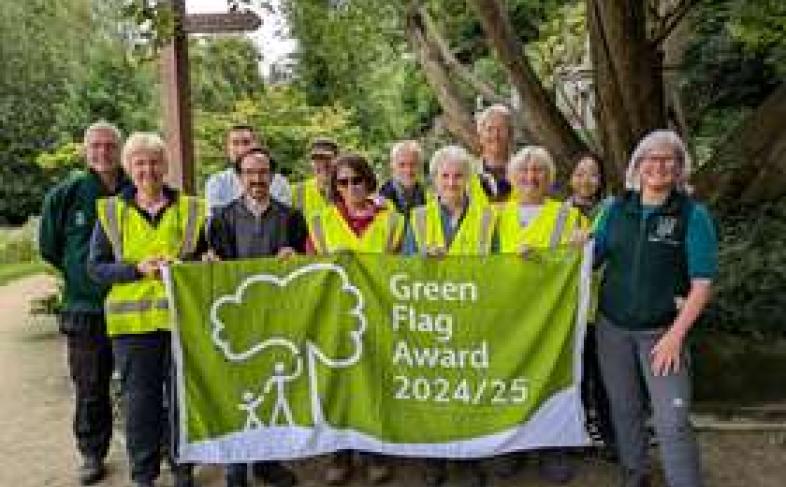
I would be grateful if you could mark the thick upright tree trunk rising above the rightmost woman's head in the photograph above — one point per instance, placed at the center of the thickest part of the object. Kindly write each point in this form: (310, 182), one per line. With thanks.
(628, 79)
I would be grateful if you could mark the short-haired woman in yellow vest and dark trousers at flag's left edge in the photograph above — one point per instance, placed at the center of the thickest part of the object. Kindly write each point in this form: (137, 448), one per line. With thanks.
(142, 229)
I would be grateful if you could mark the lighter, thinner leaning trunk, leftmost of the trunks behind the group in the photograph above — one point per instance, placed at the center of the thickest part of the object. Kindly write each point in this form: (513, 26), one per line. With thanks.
(458, 115)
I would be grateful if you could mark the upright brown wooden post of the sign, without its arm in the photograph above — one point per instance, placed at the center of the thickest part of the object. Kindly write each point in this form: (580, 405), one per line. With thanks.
(176, 102)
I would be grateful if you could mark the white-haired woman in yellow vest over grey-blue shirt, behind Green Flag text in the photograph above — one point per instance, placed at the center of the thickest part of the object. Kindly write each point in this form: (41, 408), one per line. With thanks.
(452, 223)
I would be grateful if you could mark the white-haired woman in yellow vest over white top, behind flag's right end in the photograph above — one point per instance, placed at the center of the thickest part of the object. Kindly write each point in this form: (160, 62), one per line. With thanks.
(532, 220)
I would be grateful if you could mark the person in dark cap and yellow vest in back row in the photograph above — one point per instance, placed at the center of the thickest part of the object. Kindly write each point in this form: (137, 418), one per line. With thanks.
(312, 195)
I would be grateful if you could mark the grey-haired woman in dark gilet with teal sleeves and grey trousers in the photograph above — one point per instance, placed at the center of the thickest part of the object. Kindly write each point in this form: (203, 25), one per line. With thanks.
(660, 253)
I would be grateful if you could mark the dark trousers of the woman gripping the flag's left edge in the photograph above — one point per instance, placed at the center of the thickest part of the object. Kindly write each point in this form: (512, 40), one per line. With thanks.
(145, 363)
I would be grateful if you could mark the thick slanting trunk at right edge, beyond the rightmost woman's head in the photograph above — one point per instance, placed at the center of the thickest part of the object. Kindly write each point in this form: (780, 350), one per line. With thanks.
(749, 166)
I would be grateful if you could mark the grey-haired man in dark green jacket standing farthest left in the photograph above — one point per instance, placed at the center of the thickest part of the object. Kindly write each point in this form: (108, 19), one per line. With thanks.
(67, 220)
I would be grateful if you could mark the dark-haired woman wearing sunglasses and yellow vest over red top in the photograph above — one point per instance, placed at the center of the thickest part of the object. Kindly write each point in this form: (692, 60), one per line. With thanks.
(357, 223)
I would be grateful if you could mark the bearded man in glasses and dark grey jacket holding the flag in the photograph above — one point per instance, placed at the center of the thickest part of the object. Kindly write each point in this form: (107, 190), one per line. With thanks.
(256, 225)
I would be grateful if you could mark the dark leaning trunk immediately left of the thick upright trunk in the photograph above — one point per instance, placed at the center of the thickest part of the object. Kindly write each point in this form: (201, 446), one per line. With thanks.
(542, 119)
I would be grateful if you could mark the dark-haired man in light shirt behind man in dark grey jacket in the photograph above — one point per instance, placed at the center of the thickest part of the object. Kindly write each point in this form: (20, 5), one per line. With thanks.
(224, 187)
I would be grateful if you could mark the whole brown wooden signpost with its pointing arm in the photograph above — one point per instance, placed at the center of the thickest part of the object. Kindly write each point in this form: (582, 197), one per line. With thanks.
(176, 91)
